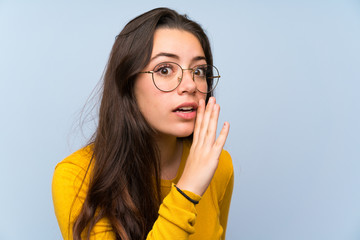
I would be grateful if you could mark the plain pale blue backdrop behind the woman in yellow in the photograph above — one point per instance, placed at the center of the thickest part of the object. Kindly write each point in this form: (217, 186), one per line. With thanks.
(289, 88)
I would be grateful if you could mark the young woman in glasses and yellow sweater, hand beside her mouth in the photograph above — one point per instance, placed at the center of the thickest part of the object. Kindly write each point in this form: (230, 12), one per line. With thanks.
(154, 168)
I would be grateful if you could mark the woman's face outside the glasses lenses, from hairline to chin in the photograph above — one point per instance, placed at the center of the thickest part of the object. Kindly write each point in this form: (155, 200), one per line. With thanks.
(171, 113)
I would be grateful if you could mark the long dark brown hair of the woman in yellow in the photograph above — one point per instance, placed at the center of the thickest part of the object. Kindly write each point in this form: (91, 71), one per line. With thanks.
(125, 179)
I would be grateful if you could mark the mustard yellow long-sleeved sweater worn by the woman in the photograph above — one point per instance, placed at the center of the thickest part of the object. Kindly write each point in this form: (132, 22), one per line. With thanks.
(178, 217)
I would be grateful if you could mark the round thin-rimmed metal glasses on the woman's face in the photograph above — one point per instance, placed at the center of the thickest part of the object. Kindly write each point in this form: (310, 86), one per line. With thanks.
(167, 76)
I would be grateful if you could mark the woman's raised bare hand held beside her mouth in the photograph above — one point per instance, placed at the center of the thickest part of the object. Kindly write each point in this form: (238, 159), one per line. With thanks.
(205, 150)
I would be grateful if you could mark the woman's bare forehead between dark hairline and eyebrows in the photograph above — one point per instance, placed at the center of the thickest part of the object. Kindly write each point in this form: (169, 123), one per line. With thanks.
(178, 42)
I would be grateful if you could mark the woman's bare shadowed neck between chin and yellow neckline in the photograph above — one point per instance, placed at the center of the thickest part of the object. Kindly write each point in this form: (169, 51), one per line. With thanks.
(170, 155)
